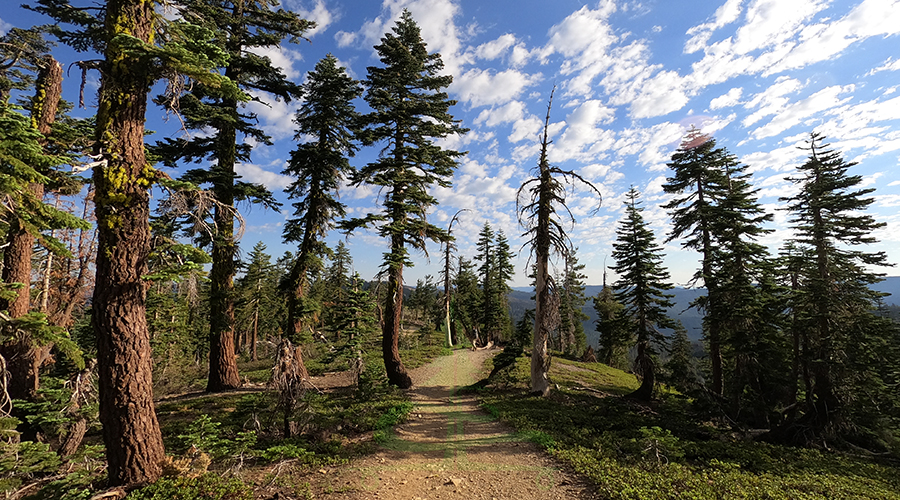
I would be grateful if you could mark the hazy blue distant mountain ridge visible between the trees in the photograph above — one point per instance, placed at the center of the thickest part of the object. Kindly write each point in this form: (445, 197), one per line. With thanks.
(520, 300)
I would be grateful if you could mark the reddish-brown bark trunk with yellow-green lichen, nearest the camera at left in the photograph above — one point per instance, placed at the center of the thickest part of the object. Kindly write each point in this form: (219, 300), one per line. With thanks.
(134, 446)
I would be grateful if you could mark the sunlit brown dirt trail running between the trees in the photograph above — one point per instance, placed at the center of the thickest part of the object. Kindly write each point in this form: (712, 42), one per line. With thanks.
(450, 449)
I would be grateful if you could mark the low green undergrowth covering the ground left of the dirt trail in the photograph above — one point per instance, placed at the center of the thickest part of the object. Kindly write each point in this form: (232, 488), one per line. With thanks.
(333, 426)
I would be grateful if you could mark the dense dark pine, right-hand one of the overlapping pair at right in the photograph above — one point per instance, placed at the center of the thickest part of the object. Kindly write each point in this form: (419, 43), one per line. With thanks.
(747, 309)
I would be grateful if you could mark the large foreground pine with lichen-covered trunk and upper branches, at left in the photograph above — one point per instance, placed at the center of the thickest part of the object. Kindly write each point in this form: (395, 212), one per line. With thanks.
(133, 57)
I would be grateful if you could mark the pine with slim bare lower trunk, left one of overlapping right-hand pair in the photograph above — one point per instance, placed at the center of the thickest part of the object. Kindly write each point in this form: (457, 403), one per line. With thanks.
(699, 182)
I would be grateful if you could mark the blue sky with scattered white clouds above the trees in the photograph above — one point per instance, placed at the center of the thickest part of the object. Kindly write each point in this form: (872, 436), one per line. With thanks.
(631, 78)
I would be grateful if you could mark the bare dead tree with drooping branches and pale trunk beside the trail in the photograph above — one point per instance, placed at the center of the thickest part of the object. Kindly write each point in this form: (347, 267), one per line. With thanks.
(537, 203)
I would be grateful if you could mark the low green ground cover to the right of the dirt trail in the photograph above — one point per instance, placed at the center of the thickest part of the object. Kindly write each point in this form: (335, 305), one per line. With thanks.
(658, 451)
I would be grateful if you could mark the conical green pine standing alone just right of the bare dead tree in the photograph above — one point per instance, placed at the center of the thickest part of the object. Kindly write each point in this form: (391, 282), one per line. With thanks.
(641, 288)
